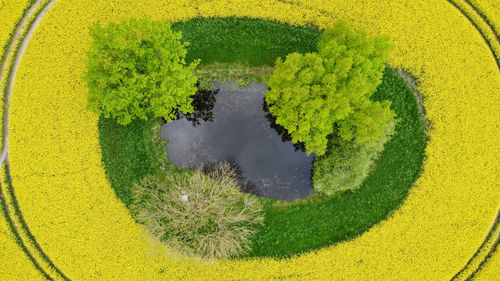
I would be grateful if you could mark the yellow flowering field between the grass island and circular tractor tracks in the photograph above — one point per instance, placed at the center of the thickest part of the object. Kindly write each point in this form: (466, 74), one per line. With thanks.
(64, 196)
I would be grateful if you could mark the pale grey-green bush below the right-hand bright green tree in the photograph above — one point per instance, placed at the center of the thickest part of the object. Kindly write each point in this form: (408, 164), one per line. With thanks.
(347, 164)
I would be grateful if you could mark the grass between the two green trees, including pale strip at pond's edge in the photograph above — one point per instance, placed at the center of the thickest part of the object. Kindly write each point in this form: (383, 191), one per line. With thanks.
(241, 49)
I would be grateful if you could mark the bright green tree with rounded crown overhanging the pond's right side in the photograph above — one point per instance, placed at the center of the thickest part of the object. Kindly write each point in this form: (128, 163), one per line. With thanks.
(315, 95)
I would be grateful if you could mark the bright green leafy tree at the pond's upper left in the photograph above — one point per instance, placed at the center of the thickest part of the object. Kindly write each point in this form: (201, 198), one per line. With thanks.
(136, 69)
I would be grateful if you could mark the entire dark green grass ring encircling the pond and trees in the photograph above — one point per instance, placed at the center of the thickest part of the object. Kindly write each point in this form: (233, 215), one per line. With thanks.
(290, 227)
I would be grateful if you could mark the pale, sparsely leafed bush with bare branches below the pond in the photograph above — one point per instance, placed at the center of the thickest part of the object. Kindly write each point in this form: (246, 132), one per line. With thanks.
(199, 214)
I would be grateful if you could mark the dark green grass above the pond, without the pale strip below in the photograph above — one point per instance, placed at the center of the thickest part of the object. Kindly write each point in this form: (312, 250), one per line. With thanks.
(250, 42)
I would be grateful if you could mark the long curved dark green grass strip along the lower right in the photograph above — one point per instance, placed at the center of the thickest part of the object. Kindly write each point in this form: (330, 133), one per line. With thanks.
(327, 220)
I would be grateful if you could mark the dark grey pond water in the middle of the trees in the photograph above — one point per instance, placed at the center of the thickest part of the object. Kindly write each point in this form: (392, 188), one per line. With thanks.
(232, 124)
